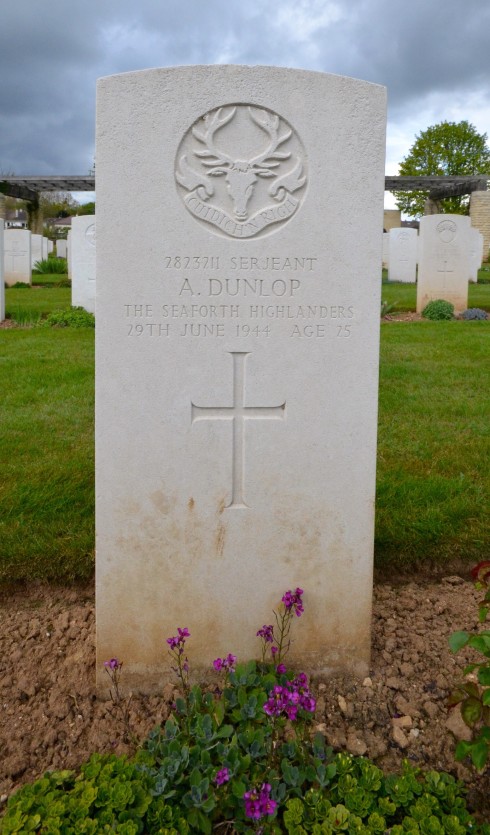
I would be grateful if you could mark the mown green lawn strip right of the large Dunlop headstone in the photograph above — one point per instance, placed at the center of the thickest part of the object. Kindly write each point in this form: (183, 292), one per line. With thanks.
(433, 483)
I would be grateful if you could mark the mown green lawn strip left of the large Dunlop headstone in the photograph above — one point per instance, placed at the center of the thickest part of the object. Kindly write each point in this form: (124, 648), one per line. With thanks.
(46, 454)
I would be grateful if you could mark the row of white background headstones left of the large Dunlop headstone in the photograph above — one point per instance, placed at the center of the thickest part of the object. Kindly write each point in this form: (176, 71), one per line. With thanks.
(22, 250)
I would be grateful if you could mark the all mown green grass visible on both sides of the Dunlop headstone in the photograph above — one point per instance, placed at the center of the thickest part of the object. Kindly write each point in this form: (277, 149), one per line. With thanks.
(433, 451)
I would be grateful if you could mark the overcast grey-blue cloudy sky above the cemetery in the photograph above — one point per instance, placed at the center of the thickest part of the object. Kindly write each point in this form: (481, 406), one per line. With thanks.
(433, 57)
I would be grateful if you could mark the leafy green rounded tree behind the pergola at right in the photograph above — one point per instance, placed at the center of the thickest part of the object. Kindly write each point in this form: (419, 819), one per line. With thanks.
(446, 149)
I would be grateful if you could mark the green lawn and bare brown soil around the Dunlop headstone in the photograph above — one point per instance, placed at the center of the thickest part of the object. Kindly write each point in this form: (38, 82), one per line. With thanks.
(431, 526)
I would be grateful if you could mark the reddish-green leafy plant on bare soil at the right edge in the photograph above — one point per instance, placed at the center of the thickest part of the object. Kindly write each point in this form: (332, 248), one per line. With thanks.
(473, 694)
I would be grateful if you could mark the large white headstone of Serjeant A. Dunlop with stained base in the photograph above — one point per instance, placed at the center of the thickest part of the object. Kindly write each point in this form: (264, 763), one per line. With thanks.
(238, 359)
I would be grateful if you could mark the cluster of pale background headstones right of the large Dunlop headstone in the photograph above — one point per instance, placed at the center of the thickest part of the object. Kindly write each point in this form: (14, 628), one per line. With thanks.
(448, 251)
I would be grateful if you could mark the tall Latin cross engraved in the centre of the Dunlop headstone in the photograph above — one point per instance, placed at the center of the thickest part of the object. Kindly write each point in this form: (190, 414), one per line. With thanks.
(238, 414)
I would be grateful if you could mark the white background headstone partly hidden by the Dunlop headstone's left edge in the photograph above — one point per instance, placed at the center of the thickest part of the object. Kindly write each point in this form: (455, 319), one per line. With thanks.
(82, 252)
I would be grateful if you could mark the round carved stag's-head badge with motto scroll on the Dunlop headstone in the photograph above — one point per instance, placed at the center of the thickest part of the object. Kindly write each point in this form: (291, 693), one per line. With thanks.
(241, 169)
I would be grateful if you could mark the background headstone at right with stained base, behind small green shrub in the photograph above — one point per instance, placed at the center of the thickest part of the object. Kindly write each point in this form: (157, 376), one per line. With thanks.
(444, 260)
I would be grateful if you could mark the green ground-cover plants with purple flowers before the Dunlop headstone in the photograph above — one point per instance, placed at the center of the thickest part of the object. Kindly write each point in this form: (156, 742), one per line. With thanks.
(240, 757)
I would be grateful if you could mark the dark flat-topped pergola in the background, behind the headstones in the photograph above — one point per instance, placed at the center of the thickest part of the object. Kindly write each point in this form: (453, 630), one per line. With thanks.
(29, 188)
